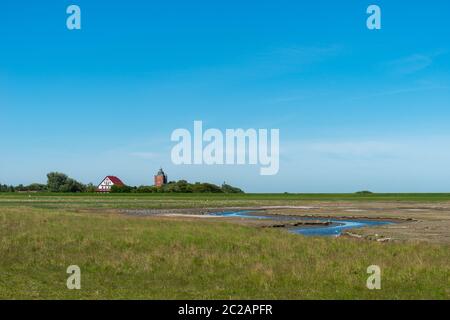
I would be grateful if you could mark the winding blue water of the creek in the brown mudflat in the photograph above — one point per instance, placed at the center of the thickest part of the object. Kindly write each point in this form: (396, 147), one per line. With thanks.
(334, 229)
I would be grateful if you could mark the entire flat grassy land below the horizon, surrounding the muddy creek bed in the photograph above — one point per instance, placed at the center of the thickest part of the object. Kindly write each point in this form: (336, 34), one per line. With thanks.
(156, 257)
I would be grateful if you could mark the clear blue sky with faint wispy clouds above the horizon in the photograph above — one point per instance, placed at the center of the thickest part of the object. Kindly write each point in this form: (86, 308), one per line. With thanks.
(357, 109)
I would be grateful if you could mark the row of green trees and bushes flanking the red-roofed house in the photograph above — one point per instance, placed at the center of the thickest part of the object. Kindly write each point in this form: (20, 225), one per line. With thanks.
(60, 182)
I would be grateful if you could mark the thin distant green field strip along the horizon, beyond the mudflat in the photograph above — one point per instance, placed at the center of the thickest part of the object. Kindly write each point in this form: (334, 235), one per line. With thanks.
(137, 200)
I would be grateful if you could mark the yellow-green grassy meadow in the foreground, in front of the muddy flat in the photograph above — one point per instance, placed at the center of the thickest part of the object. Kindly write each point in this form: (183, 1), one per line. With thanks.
(123, 257)
